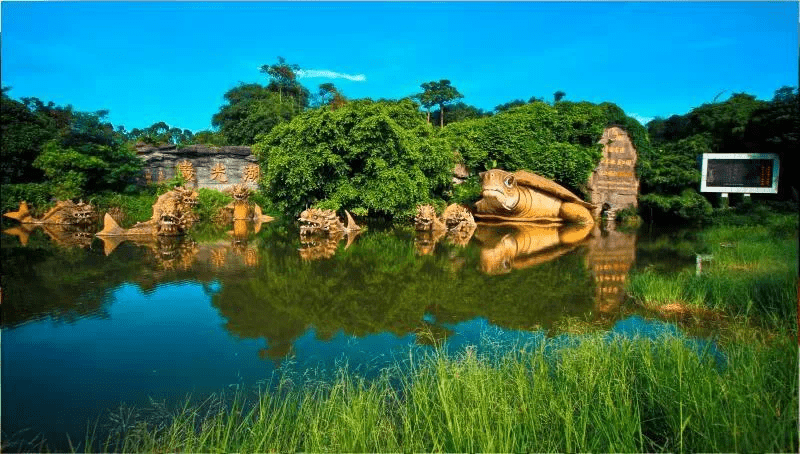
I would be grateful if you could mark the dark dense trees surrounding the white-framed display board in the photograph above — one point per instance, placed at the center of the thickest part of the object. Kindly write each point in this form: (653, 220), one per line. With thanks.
(741, 124)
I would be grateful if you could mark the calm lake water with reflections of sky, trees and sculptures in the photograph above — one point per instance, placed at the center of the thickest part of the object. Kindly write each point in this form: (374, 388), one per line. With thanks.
(89, 325)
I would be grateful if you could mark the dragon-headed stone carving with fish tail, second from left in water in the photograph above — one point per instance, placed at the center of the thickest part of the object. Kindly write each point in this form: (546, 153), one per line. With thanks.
(172, 215)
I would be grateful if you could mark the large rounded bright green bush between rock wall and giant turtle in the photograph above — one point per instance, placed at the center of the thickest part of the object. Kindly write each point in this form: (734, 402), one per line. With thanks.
(368, 157)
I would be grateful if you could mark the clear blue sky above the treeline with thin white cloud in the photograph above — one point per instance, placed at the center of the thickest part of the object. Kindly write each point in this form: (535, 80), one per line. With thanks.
(172, 62)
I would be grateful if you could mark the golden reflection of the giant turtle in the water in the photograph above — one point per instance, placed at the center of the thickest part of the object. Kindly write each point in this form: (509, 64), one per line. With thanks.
(520, 245)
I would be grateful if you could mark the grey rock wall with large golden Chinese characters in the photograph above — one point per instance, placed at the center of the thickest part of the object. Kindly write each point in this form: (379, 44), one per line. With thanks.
(201, 165)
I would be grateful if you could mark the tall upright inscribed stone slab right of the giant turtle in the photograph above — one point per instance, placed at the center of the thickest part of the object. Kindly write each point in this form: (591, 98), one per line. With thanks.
(613, 184)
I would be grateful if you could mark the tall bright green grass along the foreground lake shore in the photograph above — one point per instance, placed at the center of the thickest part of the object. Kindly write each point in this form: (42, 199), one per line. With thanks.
(618, 395)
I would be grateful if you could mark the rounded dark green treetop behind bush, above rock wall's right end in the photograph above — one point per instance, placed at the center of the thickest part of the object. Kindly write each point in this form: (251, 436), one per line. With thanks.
(251, 109)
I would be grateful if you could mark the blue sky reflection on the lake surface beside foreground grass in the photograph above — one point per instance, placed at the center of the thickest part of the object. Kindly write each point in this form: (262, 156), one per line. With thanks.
(170, 341)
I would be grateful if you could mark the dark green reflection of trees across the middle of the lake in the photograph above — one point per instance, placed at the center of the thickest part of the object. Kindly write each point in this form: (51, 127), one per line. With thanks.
(380, 284)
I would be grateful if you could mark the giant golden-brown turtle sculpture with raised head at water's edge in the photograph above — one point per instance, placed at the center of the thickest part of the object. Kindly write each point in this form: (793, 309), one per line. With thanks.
(523, 196)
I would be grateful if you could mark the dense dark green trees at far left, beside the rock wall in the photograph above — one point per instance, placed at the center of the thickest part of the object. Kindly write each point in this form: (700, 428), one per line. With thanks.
(51, 150)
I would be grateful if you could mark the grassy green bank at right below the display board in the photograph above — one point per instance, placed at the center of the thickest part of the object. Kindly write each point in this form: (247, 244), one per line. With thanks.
(752, 274)
